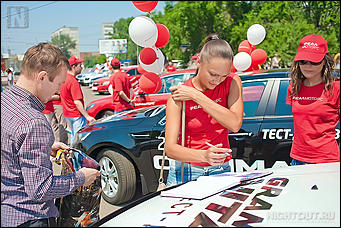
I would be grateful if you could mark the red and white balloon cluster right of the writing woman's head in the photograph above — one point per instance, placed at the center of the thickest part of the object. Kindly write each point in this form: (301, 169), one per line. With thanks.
(248, 57)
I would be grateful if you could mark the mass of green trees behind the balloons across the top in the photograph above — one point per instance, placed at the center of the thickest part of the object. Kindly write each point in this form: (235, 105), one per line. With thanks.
(285, 22)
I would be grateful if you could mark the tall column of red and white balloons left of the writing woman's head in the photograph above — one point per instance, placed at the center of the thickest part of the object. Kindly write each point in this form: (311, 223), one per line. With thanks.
(145, 33)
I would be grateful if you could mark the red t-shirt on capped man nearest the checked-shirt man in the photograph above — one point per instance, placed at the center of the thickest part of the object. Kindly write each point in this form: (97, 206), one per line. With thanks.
(69, 92)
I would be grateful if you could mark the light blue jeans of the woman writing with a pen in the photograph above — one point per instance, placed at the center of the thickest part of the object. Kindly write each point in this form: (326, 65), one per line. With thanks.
(192, 172)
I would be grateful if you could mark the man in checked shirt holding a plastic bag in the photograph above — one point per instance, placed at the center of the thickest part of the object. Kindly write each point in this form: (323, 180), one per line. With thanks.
(28, 187)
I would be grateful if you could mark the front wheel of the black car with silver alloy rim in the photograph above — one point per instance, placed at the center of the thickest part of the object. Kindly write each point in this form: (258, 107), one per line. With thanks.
(118, 177)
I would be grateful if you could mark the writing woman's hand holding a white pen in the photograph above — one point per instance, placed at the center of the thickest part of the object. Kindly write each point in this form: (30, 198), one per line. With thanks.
(217, 156)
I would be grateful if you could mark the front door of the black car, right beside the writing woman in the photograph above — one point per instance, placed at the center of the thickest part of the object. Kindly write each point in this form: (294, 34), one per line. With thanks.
(246, 143)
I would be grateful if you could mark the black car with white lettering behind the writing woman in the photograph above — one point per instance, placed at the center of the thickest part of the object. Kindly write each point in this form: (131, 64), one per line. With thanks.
(129, 145)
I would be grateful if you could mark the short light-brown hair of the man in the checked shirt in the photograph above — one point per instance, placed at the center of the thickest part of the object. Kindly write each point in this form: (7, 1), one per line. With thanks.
(44, 57)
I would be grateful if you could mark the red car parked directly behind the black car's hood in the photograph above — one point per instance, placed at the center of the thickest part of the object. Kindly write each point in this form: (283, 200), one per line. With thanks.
(103, 107)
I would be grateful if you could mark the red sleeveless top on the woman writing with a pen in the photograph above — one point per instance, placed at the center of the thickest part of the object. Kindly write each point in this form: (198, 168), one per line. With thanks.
(200, 127)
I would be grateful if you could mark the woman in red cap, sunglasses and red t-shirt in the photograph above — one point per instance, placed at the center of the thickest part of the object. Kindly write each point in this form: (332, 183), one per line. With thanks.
(314, 94)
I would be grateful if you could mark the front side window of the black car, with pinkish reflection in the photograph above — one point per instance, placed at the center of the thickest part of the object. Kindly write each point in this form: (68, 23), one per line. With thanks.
(252, 93)
